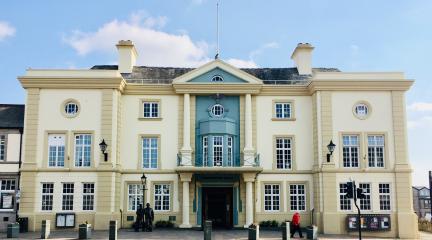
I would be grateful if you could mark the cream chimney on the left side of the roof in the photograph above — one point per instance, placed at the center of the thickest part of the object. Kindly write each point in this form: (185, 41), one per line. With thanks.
(127, 56)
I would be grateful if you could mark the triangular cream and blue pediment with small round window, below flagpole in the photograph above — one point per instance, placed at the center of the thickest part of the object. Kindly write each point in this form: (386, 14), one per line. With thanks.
(205, 73)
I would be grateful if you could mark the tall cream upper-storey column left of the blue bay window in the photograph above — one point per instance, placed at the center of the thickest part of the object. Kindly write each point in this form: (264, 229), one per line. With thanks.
(186, 151)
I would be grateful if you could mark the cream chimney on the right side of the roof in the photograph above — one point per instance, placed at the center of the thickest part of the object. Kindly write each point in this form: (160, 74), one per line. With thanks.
(302, 57)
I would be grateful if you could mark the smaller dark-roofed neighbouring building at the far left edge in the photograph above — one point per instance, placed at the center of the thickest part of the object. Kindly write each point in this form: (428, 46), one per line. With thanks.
(11, 130)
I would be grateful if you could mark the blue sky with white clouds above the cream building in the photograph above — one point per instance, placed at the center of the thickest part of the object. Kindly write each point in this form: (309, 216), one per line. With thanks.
(367, 35)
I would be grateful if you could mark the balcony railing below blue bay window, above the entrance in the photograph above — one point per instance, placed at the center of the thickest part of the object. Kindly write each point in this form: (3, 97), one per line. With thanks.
(253, 161)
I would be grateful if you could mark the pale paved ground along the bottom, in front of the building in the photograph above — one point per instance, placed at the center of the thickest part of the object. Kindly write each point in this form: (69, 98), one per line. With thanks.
(179, 234)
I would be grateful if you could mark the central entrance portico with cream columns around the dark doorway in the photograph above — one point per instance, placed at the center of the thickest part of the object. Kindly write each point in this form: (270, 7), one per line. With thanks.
(223, 195)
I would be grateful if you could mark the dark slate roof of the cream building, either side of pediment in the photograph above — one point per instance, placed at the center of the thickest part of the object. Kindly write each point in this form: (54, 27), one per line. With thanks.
(267, 75)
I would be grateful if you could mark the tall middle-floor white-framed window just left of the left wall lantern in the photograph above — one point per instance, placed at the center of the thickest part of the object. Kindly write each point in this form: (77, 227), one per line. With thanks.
(83, 147)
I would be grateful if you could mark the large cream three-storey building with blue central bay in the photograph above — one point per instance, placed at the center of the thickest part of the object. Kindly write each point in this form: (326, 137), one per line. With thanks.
(216, 142)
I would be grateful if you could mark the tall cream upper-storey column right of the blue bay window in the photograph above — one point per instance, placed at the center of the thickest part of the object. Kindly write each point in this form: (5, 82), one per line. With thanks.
(248, 151)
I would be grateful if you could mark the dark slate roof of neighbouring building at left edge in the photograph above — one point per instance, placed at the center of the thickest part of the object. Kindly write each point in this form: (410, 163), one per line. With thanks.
(11, 116)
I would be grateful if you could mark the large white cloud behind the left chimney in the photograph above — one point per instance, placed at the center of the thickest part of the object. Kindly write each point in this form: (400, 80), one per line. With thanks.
(156, 47)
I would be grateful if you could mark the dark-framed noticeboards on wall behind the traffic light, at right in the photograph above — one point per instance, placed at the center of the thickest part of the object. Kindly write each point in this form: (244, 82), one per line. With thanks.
(369, 222)
